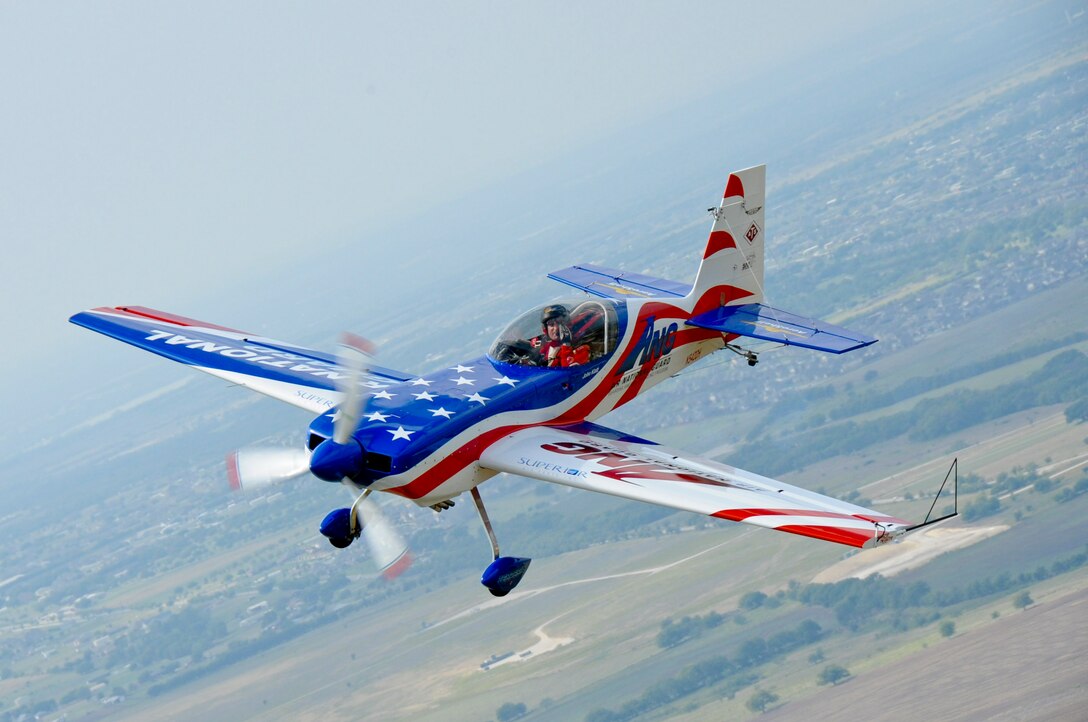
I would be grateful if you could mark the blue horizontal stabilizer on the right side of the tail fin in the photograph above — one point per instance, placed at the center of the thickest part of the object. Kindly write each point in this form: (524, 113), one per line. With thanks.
(769, 325)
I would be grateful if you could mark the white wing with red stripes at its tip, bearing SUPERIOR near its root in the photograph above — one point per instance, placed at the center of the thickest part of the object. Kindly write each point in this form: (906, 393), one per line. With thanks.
(598, 459)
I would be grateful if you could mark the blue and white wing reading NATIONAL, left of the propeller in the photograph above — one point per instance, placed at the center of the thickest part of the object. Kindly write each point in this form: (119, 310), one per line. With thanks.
(301, 377)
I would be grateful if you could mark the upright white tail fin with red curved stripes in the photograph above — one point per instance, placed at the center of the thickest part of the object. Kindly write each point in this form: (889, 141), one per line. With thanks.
(732, 271)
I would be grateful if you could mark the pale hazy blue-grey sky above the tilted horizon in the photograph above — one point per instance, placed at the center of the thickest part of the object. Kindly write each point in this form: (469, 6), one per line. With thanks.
(155, 153)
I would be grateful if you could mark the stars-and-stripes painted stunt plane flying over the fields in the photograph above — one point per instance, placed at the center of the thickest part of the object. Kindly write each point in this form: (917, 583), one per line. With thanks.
(530, 405)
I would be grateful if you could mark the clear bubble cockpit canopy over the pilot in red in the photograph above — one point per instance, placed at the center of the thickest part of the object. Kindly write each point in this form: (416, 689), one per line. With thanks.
(561, 334)
